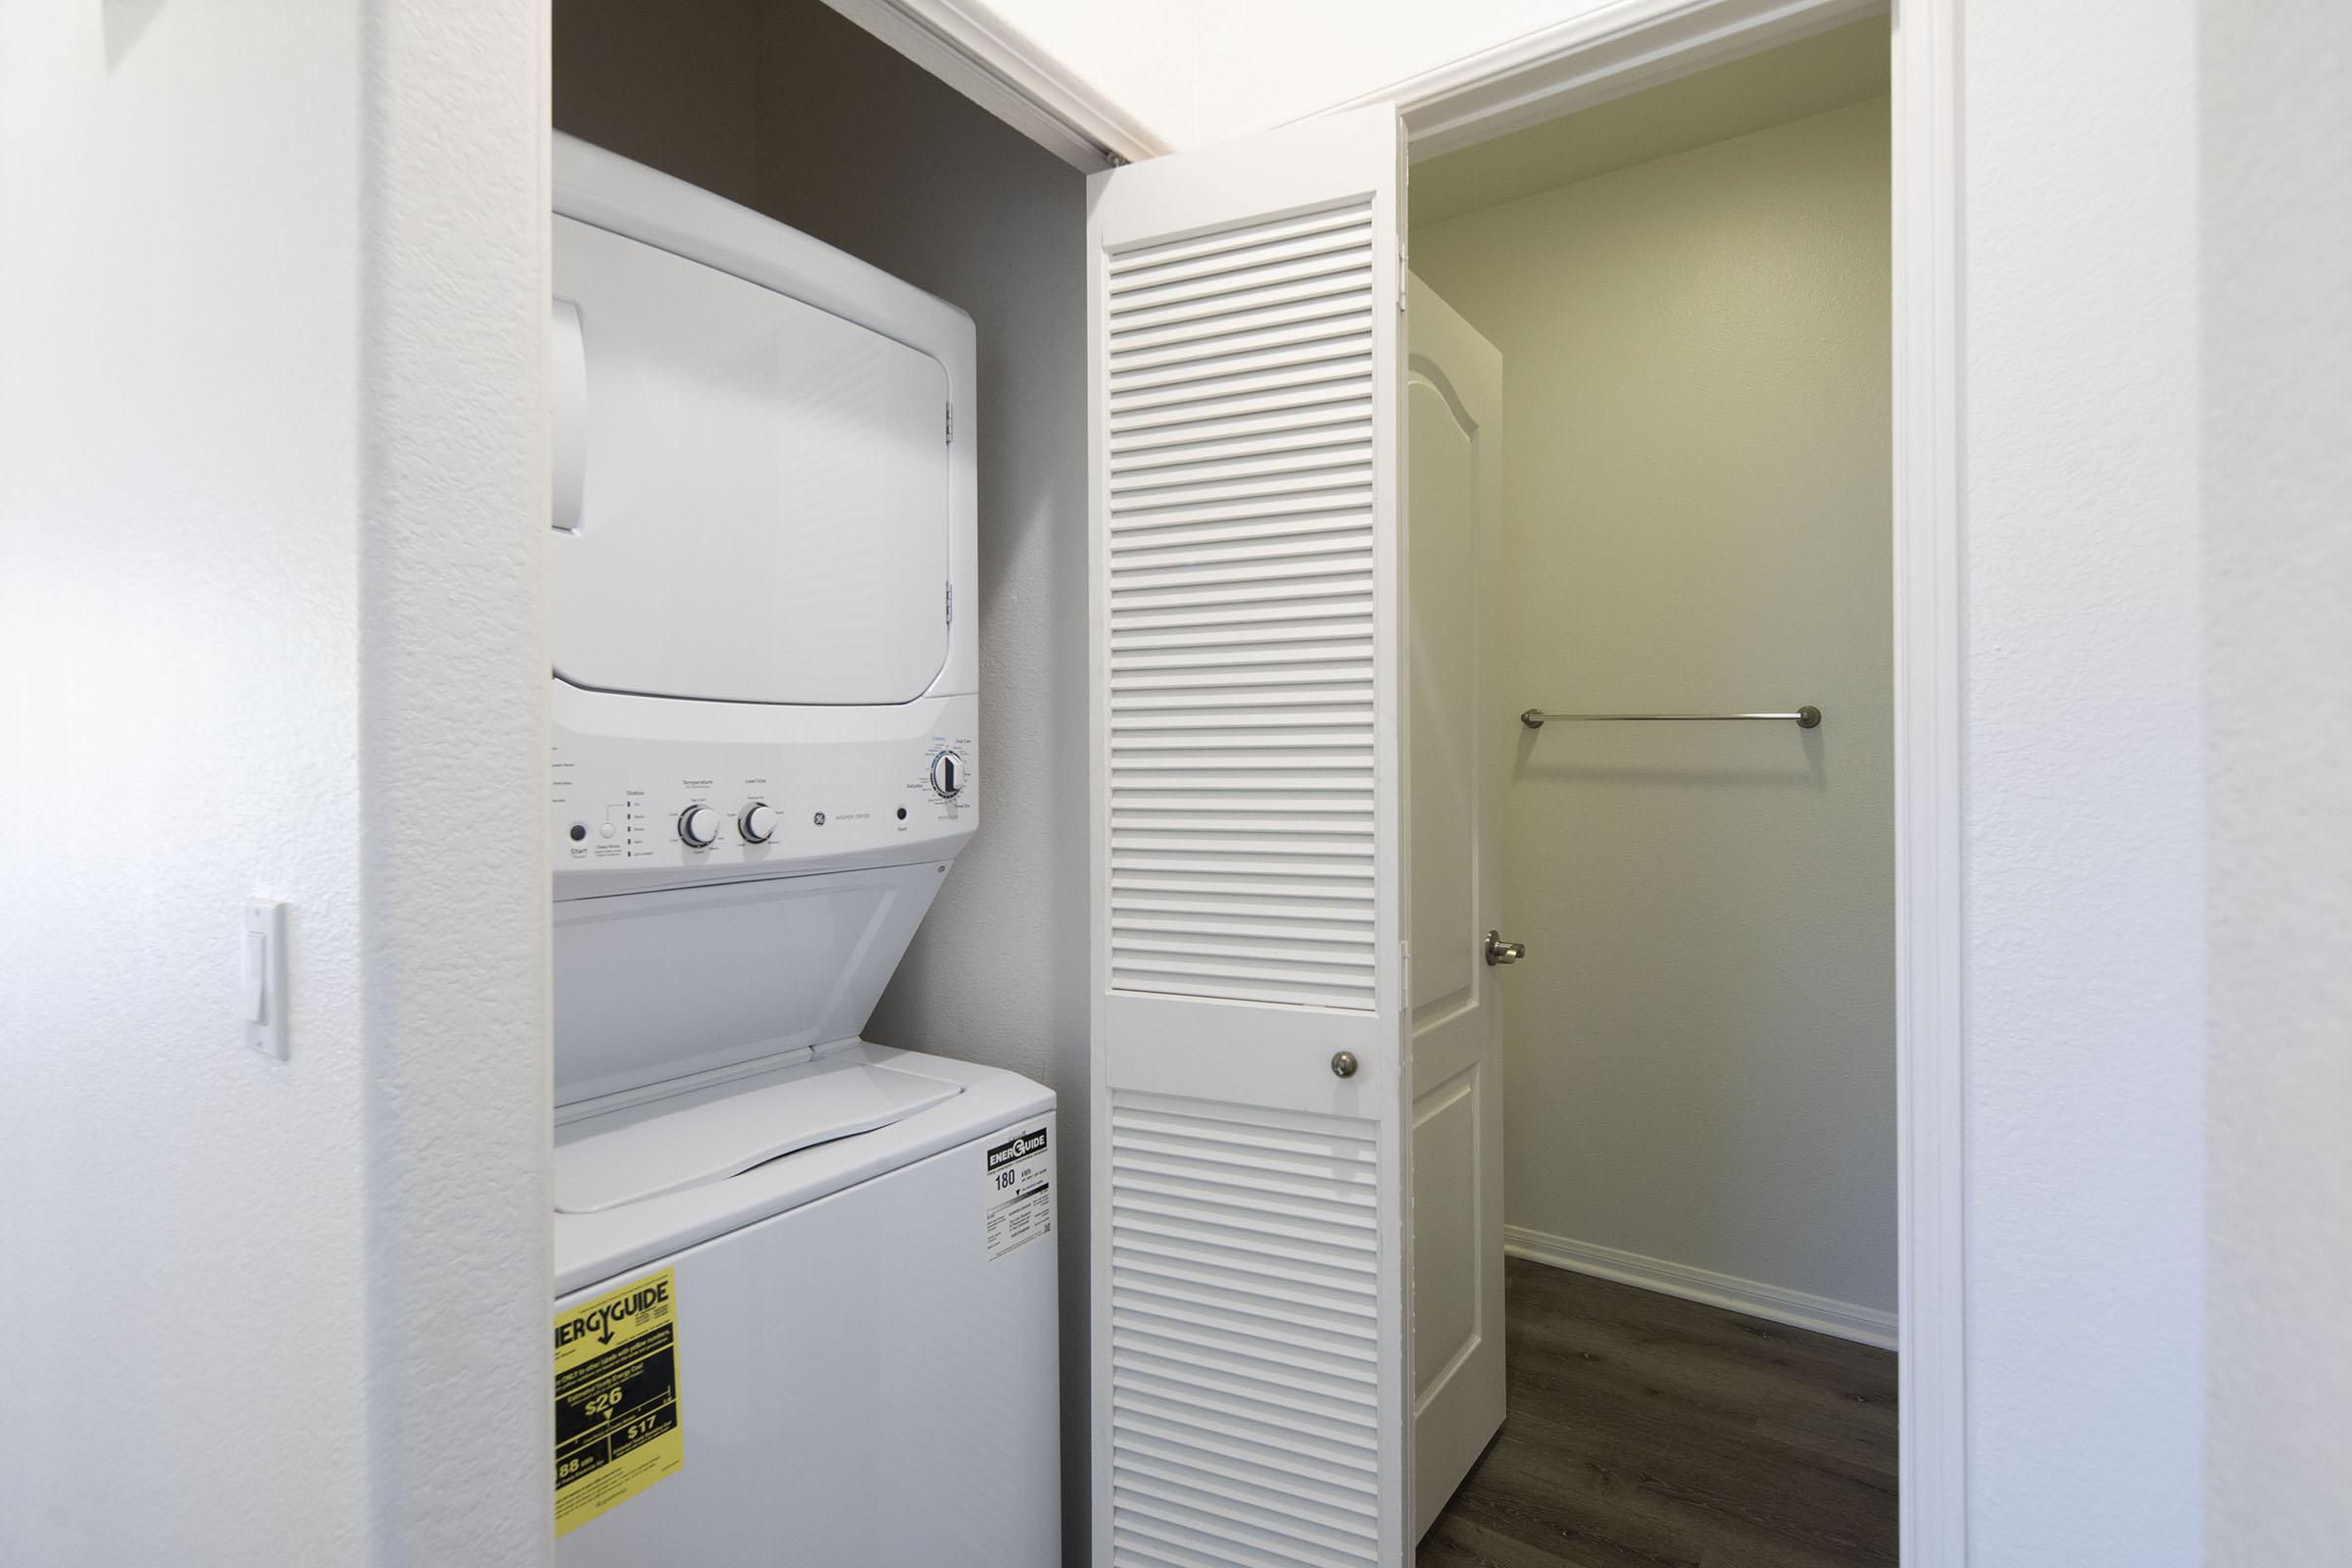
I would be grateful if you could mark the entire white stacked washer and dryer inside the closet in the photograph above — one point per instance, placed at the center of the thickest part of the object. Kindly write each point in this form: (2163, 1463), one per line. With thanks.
(806, 1285)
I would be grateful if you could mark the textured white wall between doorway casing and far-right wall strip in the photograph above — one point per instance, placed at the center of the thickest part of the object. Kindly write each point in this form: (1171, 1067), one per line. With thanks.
(2083, 779)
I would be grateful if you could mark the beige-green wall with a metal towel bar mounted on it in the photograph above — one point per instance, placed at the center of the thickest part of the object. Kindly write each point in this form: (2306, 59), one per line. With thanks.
(1697, 507)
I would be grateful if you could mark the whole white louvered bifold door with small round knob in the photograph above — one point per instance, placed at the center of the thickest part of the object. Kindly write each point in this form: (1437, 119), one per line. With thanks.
(1250, 1247)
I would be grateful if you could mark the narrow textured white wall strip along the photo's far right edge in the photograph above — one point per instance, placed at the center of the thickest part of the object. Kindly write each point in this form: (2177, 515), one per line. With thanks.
(2278, 624)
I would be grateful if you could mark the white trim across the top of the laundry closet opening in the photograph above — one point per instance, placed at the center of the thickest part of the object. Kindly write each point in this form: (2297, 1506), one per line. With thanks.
(1013, 79)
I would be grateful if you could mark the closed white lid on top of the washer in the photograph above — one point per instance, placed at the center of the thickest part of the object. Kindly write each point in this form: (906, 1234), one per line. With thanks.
(711, 1134)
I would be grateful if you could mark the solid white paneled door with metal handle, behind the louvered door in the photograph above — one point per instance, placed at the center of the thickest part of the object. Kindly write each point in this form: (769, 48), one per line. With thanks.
(1457, 739)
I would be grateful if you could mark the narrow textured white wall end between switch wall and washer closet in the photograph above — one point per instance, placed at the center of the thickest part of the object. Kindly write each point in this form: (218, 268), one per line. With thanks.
(453, 779)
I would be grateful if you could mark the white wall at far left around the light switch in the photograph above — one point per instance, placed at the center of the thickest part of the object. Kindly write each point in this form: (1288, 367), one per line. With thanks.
(180, 485)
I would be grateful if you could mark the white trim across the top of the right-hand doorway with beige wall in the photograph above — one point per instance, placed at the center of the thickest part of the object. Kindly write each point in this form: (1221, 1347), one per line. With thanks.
(1589, 60)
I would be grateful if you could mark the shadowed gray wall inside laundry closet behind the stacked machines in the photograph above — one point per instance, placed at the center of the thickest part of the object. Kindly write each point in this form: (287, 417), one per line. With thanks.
(784, 107)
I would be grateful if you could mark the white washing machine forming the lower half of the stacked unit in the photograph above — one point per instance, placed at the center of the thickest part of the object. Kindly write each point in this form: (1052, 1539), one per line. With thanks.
(867, 1339)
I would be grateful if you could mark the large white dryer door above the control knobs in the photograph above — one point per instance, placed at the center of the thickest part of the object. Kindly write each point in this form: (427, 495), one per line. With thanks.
(759, 511)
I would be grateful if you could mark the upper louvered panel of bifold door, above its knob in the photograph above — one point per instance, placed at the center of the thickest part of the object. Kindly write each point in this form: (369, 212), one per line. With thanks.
(1241, 605)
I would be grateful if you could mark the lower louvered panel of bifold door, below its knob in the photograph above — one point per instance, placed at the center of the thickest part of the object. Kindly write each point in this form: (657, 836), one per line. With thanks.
(1243, 1341)
